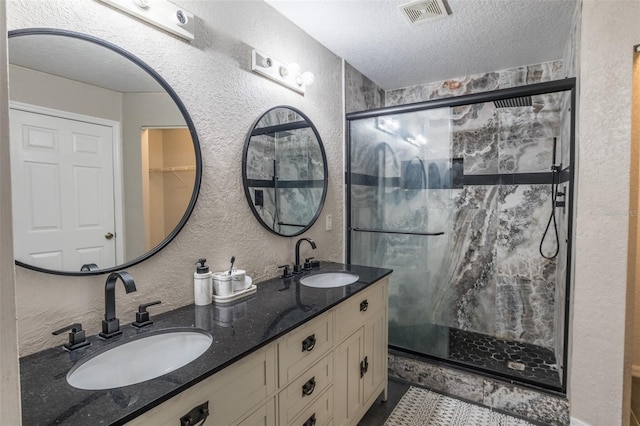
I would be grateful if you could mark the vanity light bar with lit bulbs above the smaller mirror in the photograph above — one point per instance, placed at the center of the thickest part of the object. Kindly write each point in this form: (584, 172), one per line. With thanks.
(288, 75)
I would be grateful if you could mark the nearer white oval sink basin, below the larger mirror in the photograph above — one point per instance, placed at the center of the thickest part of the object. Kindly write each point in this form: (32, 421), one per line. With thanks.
(140, 358)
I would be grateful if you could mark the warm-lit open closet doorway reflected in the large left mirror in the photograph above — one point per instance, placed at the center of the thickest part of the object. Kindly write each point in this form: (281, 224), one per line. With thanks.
(168, 176)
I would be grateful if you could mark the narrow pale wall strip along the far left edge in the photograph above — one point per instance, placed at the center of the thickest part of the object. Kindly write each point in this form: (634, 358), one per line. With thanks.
(9, 373)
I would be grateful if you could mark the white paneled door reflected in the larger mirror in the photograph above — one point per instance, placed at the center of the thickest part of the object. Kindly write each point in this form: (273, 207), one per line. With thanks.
(63, 191)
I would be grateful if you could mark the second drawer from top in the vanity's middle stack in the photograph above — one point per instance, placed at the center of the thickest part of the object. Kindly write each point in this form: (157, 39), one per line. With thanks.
(295, 397)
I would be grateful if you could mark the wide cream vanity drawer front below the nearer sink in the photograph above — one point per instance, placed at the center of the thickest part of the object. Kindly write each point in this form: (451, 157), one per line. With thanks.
(231, 393)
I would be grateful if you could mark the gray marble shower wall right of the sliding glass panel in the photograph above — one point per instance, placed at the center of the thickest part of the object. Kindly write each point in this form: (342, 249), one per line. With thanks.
(501, 284)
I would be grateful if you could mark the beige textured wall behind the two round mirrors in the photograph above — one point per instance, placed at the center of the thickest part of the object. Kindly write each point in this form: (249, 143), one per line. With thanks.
(213, 77)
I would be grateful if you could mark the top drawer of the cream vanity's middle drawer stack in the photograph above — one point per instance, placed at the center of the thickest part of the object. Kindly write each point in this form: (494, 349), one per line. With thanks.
(304, 346)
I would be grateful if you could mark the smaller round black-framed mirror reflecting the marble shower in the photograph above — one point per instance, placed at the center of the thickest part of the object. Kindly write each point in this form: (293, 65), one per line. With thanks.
(284, 171)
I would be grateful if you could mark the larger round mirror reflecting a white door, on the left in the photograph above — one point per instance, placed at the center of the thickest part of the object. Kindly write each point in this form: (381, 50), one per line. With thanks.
(106, 163)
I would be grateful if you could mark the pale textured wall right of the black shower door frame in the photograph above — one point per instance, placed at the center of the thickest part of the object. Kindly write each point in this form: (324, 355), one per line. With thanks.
(599, 379)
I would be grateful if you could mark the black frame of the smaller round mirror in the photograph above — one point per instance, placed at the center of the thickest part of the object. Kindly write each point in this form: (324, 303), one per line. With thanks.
(245, 179)
